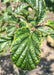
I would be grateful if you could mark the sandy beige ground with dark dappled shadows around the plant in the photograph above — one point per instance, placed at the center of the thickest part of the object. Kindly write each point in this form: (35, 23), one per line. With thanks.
(45, 66)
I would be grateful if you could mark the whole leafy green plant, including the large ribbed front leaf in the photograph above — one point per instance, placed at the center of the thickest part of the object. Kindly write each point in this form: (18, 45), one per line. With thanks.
(22, 31)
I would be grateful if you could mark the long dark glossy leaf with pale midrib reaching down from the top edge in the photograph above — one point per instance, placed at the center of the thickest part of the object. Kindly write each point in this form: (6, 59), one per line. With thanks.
(40, 9)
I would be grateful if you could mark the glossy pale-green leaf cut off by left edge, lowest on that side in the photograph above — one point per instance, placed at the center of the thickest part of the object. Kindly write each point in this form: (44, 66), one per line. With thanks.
(5, 42)
